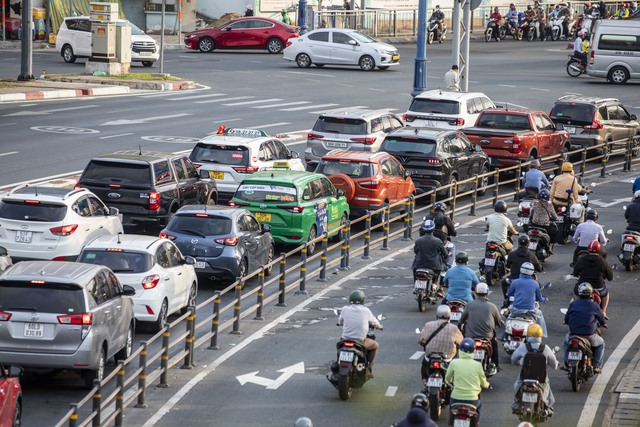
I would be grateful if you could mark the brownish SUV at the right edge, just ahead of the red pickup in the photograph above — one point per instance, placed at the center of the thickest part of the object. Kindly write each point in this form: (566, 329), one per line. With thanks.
(591, 121)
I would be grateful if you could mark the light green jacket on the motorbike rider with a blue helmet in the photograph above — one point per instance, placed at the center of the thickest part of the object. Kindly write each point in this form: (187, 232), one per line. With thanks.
(467, 377)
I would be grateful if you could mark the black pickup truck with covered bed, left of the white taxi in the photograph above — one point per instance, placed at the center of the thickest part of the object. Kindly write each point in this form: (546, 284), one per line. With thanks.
(147, 187)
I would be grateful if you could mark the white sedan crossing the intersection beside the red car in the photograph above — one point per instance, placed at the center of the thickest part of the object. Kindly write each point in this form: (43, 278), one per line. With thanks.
(340, 47)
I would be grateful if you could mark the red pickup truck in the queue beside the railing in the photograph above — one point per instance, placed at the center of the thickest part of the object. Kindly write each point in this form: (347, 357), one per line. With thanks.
(509, 136)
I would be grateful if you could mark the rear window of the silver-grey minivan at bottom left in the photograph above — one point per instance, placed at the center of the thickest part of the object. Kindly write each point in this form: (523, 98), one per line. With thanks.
(44, 298)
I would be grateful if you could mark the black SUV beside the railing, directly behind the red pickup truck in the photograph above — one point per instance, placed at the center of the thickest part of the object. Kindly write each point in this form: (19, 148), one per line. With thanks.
(436, 157)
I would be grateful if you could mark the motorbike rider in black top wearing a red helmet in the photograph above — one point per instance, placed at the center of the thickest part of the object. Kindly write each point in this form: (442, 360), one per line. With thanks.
(594, 269)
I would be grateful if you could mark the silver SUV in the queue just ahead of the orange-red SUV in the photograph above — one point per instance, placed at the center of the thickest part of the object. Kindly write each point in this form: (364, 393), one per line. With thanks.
(357, 130)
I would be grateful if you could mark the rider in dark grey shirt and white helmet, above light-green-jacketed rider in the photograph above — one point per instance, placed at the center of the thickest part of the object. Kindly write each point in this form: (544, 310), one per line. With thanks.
(480, 318)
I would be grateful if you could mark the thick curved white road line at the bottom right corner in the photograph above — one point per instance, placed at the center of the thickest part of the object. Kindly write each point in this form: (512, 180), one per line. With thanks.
(592, 403)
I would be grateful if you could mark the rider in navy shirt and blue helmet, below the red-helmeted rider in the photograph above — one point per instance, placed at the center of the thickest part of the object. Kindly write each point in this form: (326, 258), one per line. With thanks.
(583, 317)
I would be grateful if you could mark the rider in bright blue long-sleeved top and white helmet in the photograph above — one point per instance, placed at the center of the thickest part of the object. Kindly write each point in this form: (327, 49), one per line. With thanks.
(526, 292)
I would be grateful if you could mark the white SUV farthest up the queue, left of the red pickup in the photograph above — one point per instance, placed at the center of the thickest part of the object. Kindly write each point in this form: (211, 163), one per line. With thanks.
(446, 109)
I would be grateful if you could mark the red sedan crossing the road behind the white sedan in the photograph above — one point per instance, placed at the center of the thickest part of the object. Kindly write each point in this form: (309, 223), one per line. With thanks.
(243, 33)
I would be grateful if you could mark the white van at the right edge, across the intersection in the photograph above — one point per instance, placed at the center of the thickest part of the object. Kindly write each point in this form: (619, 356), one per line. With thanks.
(615, 50)
